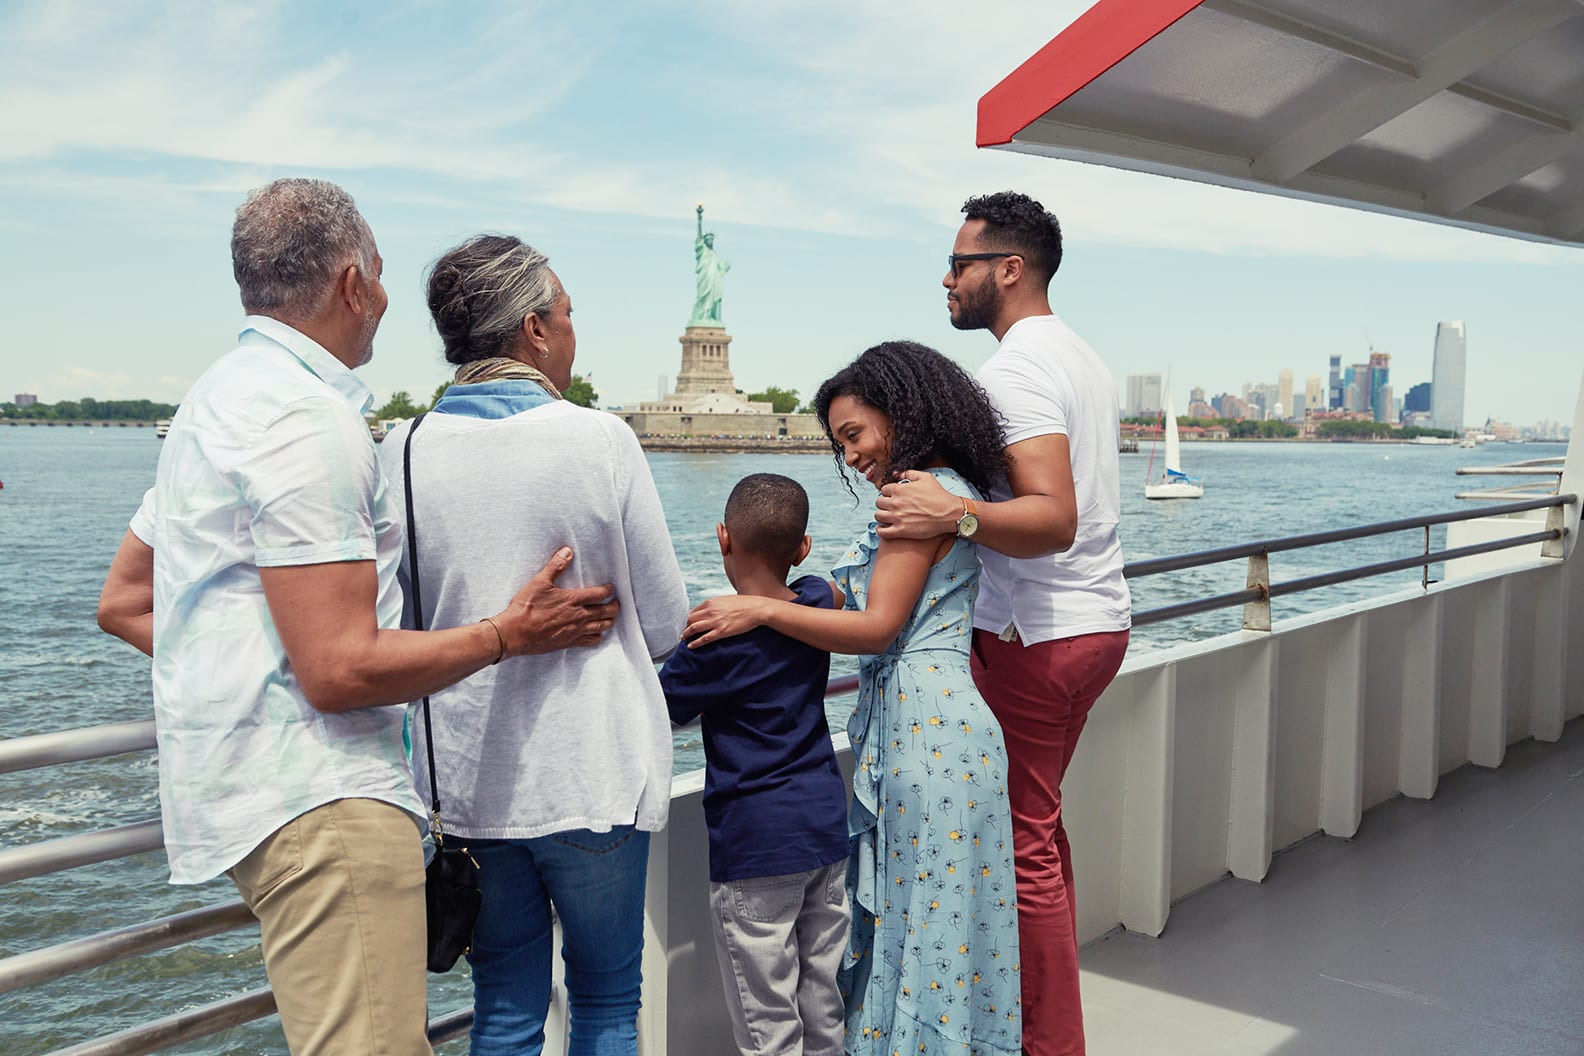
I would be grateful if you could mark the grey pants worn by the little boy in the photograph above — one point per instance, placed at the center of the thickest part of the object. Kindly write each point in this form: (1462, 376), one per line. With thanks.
(780, 943)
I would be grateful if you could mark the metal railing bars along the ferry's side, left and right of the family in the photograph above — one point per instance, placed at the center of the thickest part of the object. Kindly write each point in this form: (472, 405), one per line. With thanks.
(55, 856)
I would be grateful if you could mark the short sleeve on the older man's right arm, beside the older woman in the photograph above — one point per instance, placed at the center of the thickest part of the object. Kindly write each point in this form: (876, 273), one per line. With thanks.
(310, 481)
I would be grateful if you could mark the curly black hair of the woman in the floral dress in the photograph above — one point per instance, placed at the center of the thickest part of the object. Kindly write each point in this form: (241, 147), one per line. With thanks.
(937, 412)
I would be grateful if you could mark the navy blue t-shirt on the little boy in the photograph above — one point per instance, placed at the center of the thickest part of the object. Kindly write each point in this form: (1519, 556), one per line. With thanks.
(774, 797)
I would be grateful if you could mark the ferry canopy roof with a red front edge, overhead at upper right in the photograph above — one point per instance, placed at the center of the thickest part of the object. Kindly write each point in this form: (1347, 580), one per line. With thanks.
(1458, 112)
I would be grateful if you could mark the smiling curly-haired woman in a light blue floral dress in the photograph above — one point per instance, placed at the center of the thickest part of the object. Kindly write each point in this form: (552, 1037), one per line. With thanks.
(932, 963)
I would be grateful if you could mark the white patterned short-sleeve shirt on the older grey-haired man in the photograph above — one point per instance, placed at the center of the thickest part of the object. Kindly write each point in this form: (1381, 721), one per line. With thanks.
(268, 463)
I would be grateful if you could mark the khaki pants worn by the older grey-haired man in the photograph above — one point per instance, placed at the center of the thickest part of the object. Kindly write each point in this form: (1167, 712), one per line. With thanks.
(340, 897)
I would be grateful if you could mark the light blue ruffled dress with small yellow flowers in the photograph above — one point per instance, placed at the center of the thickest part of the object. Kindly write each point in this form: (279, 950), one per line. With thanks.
(932, 963)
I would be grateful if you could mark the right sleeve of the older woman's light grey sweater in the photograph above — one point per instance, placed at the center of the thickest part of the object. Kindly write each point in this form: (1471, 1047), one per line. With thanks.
(658, 588)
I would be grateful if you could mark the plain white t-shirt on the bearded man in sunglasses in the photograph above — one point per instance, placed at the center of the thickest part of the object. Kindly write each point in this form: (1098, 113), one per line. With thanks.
(1046, 381)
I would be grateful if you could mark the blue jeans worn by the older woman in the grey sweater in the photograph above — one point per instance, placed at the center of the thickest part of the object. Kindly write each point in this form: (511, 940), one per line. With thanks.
(596, 884)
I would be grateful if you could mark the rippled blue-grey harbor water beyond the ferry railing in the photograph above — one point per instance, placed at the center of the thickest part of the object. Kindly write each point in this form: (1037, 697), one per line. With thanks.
(64, 507)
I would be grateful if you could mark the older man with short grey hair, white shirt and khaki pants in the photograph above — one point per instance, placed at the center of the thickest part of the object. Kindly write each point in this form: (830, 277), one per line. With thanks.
(261, 575)
